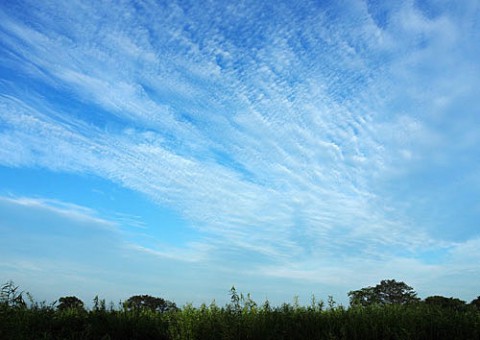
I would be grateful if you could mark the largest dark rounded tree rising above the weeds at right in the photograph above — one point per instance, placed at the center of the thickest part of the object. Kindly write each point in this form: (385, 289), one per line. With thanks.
(386, 292)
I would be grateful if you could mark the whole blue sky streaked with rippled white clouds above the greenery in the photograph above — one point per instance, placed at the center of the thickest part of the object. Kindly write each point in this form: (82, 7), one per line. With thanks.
(176, 148)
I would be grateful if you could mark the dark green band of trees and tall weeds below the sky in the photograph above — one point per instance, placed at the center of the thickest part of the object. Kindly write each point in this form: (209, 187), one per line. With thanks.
(390, 310)
